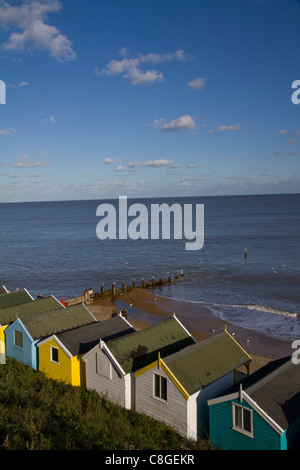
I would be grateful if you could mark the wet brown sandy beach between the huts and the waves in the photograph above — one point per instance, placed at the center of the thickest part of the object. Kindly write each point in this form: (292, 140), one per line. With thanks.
(145, 307)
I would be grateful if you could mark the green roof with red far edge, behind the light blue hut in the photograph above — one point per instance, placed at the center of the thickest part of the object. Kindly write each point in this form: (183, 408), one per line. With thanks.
(10, 314)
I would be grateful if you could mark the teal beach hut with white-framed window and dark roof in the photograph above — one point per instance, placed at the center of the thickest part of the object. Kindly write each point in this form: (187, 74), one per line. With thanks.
(261, 413)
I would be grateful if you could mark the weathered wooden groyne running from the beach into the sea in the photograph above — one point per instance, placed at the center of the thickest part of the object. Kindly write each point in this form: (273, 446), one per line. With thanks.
(89, 296)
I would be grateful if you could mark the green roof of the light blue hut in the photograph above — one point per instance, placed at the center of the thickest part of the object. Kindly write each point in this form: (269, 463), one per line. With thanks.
(50, 323)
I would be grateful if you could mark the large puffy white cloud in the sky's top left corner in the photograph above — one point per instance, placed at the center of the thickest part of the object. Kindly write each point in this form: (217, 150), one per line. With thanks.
(30, 31)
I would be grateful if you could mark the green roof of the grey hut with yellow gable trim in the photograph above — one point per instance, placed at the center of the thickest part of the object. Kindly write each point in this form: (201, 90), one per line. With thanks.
(202, 363)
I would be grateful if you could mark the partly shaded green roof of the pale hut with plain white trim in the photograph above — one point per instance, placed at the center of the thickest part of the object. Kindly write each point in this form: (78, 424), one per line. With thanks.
(141, 348)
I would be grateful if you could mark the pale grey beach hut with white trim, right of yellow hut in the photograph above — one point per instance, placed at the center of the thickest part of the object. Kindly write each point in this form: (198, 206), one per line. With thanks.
(110, 365)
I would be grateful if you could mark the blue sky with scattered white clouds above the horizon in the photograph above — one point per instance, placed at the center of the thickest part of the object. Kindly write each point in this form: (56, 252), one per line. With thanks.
(148, 98)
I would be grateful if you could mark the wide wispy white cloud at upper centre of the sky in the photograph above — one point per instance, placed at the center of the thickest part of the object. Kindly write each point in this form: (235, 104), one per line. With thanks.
(130, 68)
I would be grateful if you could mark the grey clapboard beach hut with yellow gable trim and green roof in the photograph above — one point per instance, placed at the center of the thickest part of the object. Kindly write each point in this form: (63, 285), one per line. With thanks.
(175, 389)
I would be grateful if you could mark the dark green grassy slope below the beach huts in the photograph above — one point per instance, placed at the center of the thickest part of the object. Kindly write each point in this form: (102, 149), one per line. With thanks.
(38, 413)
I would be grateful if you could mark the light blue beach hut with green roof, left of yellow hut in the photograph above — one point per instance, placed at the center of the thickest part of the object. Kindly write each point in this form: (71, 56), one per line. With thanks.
(23, 334)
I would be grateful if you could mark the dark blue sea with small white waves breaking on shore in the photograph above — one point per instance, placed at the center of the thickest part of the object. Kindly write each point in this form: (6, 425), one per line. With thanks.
(53, 248)
